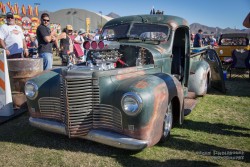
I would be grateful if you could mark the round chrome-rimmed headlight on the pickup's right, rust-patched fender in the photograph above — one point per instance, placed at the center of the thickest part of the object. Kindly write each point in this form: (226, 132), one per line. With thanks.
(131, 103)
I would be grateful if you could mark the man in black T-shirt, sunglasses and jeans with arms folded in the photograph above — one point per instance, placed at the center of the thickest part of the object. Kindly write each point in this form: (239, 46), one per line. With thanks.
(45, 40)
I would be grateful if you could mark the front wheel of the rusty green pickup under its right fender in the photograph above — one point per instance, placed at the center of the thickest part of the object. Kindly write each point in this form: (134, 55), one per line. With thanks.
(167, 123)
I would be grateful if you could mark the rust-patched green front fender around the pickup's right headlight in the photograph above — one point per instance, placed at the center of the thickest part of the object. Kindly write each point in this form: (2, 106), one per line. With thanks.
(148, 123)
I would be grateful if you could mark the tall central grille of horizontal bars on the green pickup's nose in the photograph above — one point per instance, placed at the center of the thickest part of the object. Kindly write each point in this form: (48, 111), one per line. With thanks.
(81, 95)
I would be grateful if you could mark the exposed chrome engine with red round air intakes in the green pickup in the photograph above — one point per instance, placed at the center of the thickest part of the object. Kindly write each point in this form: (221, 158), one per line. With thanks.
(110, 55)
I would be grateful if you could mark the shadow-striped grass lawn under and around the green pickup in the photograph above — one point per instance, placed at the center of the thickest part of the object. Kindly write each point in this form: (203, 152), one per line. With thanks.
(216, 133)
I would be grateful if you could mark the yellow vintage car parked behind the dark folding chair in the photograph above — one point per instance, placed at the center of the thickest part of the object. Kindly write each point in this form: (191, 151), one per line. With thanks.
(231, 41)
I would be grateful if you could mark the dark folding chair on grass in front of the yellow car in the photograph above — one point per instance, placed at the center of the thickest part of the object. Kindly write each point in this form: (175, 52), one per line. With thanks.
(240, 64)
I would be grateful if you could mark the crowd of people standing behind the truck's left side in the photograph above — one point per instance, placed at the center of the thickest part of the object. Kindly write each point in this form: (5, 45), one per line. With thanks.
(68, 44)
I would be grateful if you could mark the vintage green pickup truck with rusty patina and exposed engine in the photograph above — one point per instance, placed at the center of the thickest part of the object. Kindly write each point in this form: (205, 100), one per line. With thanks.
(133, 88)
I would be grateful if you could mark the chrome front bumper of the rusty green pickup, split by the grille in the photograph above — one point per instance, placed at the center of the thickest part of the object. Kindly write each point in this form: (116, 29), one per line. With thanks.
(100, 136)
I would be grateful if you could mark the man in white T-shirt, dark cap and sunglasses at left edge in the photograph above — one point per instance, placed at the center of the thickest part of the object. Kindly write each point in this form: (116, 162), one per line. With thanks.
(12, 38)
